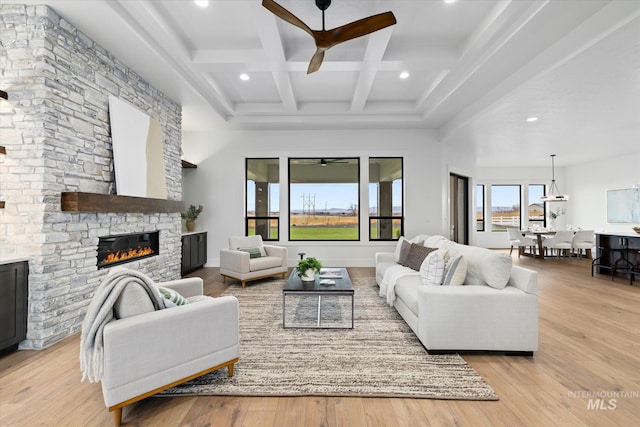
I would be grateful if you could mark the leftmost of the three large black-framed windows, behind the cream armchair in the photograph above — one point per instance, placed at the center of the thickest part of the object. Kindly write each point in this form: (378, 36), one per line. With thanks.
(262, 214)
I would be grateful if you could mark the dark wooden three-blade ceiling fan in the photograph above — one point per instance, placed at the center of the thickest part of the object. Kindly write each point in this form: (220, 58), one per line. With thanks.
(326, 39)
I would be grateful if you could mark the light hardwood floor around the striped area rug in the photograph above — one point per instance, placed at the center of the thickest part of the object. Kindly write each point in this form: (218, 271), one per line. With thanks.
(589, 347)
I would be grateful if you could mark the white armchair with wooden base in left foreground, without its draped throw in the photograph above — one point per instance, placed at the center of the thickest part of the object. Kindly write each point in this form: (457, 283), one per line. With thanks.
(156, 350)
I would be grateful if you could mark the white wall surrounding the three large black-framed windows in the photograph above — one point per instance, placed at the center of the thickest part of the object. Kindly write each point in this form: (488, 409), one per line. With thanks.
(218, 183)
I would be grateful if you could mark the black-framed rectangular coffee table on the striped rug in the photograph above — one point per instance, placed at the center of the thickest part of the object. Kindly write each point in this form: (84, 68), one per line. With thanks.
(341, 286)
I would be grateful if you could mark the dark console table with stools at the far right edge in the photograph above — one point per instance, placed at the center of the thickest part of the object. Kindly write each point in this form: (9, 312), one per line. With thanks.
(613, 246)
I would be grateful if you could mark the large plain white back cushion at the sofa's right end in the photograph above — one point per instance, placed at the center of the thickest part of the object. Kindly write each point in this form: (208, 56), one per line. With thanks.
(486, 267)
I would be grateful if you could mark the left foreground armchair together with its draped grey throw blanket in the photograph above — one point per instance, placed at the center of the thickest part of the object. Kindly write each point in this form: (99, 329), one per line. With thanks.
(137, 348)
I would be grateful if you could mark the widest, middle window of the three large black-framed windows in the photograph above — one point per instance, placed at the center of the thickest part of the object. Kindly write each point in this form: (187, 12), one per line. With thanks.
(324, 199)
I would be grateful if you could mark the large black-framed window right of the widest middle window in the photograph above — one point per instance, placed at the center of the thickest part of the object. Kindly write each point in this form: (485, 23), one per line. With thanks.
(386, 212)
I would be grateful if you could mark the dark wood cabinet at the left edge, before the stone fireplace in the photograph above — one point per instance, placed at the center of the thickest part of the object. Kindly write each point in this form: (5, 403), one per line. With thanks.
(14, 283)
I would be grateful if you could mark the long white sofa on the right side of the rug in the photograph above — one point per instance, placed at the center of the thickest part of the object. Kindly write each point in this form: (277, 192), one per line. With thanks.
(475, 316)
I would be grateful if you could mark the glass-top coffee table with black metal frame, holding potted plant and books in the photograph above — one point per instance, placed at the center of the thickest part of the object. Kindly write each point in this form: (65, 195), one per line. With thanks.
(321, 302)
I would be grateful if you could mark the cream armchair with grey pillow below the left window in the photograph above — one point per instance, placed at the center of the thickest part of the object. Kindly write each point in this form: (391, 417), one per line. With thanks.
(255, 261)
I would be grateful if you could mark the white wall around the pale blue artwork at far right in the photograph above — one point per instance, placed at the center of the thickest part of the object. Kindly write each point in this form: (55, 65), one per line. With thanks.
(588, 184)
